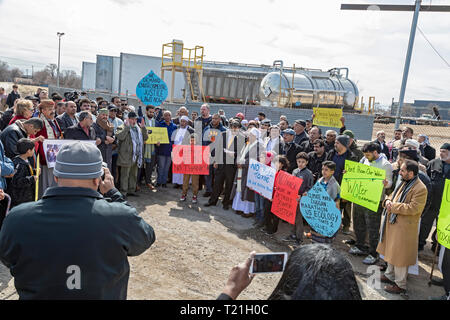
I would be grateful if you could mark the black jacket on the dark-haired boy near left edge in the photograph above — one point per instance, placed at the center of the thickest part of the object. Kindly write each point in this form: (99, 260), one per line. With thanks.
(23, 185)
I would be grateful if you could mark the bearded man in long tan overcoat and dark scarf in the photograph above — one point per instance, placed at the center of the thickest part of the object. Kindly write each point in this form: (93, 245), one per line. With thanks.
(399, 229)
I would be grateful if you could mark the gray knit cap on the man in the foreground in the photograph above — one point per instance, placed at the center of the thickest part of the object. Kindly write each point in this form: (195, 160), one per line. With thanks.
(79, 160)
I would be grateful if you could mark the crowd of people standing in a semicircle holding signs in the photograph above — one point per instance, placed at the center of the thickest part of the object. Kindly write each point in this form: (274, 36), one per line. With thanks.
(409, 205)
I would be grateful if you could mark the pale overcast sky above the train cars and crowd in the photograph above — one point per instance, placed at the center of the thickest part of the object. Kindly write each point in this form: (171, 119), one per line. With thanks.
(313, 34)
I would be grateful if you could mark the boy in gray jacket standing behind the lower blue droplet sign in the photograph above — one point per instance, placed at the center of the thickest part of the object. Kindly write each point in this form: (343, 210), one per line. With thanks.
(329, 183)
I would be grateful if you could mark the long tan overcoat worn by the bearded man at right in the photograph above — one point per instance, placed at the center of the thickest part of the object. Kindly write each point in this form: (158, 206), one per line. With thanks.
(400, 240)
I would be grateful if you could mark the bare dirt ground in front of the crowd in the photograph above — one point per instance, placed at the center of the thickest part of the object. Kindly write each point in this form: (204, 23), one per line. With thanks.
(196, 247)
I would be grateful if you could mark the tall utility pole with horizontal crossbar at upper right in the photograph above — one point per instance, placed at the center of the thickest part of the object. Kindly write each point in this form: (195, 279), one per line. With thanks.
(416, 8)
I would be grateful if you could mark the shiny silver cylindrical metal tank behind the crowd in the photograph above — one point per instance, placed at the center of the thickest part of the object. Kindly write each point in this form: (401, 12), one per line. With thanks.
(308, 88)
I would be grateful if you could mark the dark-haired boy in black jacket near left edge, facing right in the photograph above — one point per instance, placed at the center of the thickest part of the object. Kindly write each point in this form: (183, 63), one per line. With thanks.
(23, 184)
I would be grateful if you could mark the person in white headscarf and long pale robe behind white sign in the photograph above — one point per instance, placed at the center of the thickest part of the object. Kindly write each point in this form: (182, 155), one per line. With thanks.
(243, 197)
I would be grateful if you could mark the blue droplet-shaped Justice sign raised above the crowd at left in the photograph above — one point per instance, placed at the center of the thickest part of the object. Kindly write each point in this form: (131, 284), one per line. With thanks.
(152, 89)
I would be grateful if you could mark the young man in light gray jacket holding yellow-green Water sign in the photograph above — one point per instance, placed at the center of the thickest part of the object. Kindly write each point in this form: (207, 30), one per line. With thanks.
(365, 220)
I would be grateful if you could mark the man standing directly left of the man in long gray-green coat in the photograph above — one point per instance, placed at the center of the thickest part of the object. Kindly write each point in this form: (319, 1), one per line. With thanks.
(104, 131)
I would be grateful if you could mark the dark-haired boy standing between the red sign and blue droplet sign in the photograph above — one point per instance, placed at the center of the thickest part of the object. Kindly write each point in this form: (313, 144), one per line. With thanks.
(307, 176)
